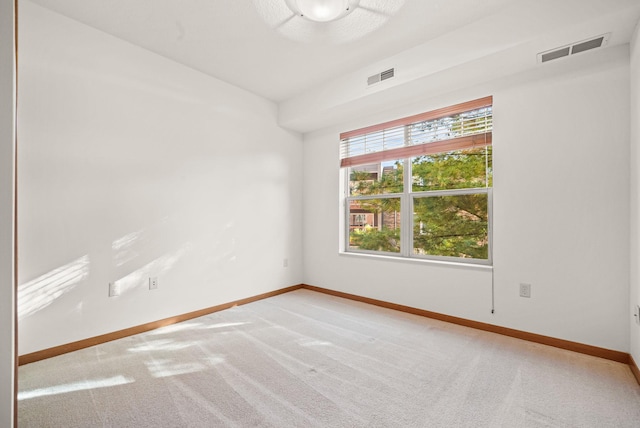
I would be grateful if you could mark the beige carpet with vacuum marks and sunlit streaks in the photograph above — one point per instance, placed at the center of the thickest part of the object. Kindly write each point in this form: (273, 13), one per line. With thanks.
(304, 359)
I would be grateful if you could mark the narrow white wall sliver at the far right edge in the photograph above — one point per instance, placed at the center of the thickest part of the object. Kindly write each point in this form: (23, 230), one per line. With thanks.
(634, 295)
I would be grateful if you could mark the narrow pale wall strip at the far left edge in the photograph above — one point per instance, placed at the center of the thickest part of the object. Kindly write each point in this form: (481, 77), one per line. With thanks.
(7, 155)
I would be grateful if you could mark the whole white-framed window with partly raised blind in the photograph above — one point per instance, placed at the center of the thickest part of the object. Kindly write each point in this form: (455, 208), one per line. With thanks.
(420, 187)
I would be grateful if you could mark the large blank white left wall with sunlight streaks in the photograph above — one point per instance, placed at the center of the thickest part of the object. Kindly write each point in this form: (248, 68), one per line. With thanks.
(133, 166)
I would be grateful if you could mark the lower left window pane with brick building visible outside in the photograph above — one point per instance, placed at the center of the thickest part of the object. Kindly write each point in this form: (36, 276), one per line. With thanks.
(374, 224)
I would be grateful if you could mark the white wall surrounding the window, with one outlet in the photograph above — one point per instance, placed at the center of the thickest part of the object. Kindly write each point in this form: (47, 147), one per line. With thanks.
(561, 209)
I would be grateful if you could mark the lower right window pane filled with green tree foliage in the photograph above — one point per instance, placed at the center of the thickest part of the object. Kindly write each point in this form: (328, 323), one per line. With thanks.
(453, 226)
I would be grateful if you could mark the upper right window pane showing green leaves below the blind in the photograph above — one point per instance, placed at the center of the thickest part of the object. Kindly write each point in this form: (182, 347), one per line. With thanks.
(459, 169)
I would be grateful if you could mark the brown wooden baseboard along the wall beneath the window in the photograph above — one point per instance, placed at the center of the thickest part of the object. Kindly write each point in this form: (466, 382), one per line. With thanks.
(621, 357)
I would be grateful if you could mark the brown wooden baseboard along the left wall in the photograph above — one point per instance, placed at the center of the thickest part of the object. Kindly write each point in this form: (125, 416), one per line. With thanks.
(92, 341)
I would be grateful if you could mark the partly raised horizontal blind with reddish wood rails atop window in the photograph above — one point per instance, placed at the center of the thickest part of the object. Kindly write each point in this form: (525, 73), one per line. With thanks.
(457, 127)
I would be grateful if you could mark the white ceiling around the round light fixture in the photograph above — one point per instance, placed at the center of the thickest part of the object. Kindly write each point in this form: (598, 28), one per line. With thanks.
(261, 46)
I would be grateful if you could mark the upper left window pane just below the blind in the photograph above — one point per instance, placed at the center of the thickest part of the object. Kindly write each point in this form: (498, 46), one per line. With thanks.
(376, 179)
